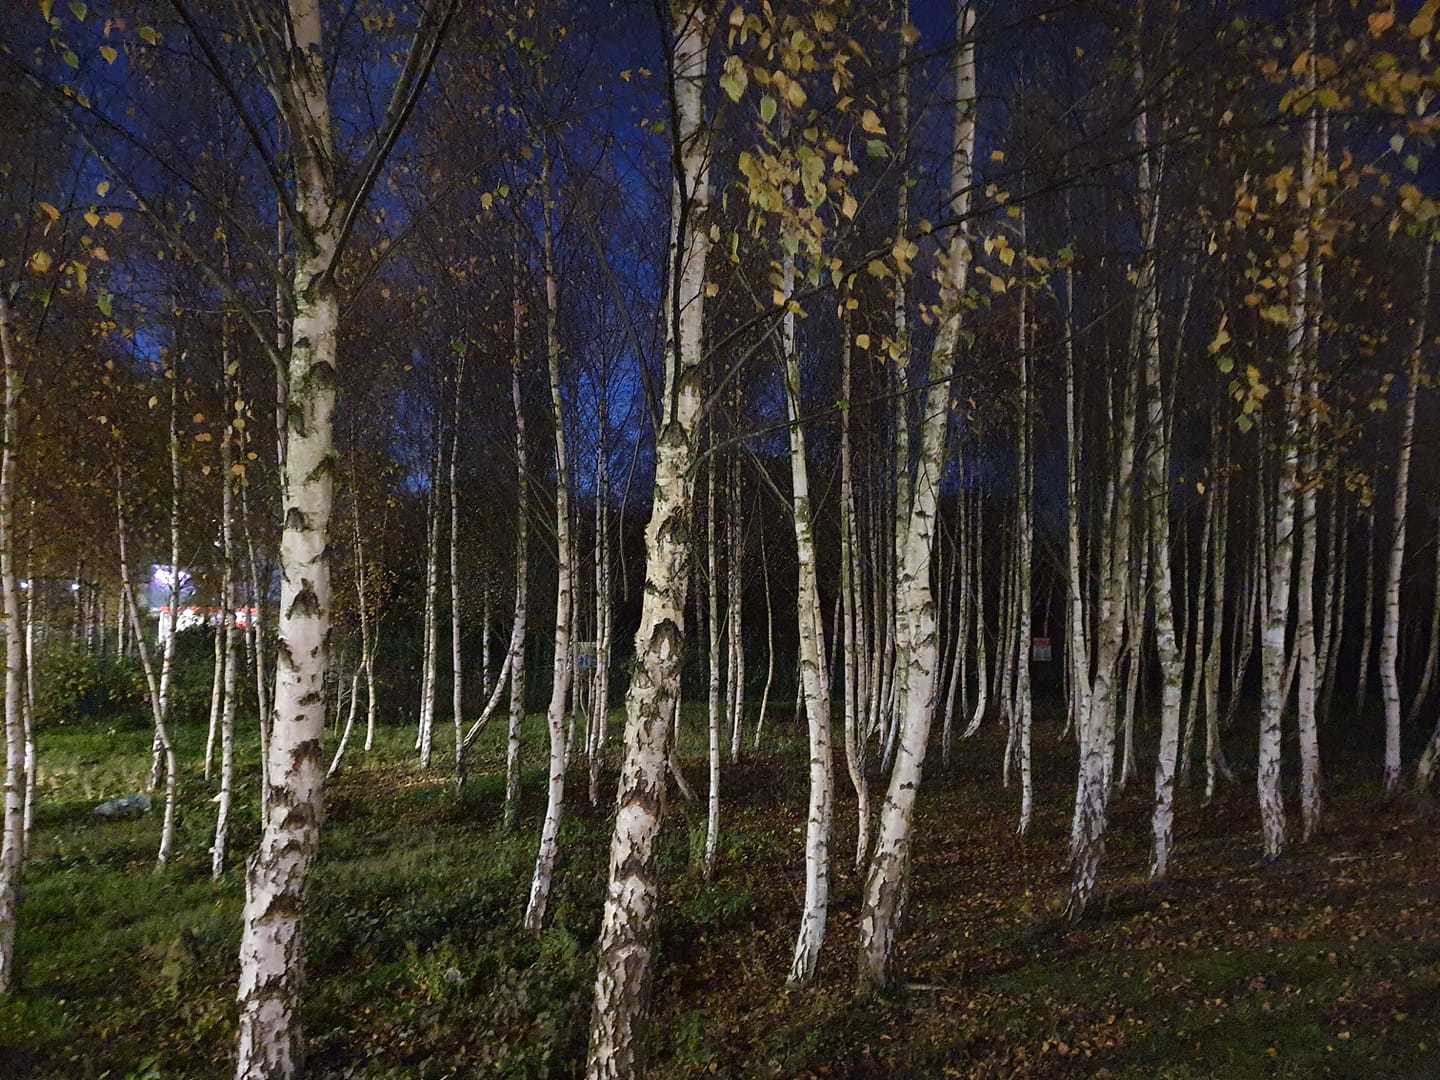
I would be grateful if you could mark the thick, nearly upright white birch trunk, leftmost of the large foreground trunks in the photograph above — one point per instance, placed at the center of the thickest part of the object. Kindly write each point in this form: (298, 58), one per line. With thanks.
(271, 948)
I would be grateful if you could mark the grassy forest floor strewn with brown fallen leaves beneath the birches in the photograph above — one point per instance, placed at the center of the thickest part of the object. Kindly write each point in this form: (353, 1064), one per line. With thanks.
(1323, 966)
